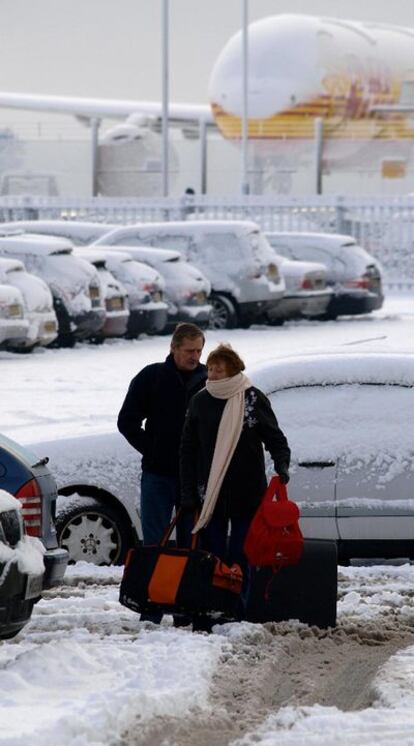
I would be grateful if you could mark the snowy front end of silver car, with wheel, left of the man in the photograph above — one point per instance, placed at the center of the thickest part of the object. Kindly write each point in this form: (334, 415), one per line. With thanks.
(97, 517)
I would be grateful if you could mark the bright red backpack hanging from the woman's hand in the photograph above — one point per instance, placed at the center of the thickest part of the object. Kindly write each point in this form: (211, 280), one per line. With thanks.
(274, 537)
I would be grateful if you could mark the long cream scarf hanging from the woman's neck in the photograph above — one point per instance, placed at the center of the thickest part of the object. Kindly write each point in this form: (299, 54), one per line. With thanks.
(228, 435)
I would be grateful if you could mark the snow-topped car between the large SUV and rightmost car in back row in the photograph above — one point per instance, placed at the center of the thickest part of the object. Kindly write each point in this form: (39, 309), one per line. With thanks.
(307, 294)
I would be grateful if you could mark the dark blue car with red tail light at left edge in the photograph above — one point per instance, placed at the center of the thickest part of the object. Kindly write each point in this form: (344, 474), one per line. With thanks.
(29, 480)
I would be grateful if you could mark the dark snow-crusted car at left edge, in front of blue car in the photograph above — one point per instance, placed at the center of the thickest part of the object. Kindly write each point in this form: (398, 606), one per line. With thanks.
(21, 568)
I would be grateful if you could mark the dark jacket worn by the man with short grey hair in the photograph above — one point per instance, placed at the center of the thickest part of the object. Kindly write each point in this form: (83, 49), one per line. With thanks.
(160, 395)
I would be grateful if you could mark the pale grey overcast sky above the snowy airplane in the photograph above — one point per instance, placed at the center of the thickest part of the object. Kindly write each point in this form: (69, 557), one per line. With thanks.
(112, 48)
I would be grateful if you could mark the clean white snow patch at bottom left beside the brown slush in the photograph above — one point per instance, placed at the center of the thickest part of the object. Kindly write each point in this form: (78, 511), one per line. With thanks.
(87, 690)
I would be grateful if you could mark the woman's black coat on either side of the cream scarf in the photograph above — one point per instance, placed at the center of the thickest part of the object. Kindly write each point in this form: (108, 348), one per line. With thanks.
(245, 480)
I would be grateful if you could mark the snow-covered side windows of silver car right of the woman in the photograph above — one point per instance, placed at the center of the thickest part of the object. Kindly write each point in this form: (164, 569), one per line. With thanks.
(351, 421)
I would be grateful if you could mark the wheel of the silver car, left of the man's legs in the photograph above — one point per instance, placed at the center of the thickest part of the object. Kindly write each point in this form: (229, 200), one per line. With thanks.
(92, 531)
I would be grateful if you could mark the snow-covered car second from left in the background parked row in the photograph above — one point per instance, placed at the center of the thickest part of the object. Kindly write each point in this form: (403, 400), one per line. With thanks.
(38, 303)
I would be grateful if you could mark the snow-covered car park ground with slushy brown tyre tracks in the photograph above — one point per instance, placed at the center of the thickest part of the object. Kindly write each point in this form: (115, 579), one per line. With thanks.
(85, 671)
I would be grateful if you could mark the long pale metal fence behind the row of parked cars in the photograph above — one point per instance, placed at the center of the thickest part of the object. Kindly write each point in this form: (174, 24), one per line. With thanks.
(384, 226)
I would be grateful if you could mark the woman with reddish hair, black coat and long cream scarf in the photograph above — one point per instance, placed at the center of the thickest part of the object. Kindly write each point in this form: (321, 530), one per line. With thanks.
(222, 467)
